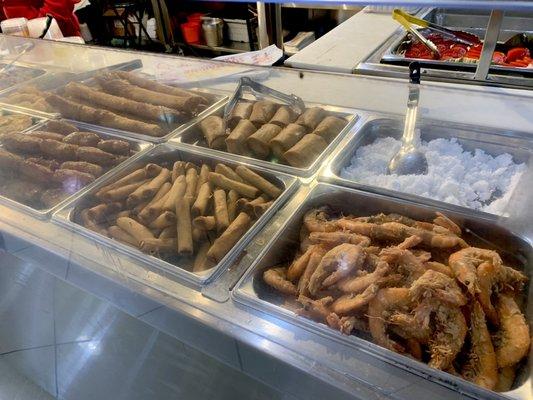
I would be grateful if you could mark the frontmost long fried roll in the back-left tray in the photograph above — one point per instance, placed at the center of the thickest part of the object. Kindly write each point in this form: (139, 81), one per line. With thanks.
(80, 112)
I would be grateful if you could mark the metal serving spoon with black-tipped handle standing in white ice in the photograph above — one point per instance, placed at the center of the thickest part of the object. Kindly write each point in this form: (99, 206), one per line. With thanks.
(409, 159)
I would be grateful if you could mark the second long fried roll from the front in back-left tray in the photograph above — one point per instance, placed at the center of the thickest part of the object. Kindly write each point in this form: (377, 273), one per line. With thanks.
(120, 104)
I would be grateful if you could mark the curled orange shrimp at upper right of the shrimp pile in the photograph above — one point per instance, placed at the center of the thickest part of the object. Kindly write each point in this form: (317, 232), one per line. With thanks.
(464, 263)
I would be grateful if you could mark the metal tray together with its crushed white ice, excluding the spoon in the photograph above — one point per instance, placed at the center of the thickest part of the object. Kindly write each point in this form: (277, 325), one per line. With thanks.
(468, 166)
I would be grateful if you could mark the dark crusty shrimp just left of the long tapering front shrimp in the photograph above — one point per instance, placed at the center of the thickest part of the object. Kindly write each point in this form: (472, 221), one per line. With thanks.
(448, 338)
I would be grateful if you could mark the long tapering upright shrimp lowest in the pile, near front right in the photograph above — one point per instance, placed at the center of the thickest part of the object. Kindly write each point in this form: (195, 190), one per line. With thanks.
(481, 366)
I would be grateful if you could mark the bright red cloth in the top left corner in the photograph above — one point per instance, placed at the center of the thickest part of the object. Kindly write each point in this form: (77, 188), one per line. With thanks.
(61, 10)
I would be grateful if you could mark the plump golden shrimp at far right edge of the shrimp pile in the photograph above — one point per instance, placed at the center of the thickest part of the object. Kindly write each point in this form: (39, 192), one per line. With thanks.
(512, 340)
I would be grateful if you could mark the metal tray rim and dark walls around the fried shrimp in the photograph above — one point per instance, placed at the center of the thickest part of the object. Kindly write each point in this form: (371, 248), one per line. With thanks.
(251, 290)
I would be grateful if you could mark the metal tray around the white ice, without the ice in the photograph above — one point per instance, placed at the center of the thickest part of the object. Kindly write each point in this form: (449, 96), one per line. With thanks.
(491, 141)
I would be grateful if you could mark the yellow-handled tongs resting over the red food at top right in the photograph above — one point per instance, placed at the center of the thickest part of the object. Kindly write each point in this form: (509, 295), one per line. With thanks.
(408, 20)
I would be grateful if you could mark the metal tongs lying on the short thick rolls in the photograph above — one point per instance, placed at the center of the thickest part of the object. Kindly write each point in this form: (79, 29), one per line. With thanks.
(259, 90)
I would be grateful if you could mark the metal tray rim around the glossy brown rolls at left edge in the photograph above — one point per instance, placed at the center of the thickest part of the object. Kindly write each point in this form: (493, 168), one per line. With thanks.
(141, 147)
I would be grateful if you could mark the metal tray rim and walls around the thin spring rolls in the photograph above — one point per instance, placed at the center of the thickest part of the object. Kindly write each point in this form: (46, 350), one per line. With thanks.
(162, 153)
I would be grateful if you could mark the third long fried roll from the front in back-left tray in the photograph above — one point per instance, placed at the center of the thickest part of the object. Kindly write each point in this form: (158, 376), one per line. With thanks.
(125, 89)
